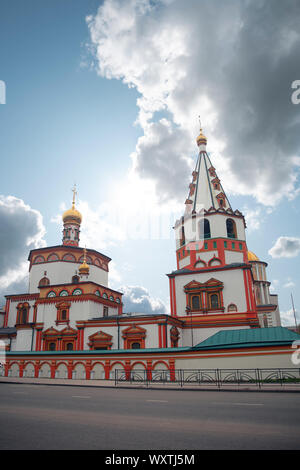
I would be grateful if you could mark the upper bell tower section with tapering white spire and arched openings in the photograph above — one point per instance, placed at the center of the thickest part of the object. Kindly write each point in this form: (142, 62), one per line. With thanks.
(209, 233)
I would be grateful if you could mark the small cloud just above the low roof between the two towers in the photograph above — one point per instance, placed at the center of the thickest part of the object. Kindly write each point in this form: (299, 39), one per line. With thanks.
(137, 299)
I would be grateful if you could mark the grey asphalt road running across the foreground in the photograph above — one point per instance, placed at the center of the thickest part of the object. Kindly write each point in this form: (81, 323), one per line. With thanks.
(58, 417)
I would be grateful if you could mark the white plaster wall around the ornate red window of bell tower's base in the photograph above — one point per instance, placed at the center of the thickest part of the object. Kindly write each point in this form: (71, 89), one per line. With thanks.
(233, 292)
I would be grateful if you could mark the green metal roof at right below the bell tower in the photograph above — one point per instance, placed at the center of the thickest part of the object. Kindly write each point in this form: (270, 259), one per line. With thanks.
(255, 337)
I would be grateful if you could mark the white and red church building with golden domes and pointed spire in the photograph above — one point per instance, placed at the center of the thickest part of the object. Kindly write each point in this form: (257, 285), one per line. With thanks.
(70, 316)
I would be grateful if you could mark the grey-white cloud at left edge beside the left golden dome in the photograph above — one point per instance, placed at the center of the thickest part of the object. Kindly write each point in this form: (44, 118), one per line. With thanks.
(22, 230)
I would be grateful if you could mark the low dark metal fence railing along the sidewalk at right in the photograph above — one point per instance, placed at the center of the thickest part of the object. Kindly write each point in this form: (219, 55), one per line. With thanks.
(211, 378)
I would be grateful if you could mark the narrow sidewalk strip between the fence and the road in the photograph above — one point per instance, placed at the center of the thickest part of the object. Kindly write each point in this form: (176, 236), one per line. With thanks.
(152, 386)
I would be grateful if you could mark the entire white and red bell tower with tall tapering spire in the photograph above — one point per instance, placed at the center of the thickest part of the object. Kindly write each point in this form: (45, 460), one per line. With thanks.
(212, 287)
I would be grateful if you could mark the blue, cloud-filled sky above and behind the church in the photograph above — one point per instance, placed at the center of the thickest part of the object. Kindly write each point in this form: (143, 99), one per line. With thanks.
(107, 94)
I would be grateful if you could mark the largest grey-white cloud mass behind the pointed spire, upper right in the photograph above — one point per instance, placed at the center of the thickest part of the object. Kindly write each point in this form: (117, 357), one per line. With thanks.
(233, 63)
